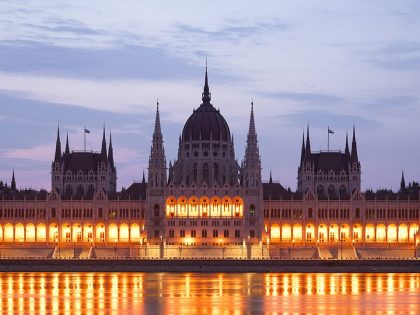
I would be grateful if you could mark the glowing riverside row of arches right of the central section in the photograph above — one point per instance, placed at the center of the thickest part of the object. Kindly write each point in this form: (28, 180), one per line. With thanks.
(402, 233)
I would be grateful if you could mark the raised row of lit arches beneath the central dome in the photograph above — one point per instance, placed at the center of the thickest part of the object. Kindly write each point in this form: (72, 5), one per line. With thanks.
(204, 207)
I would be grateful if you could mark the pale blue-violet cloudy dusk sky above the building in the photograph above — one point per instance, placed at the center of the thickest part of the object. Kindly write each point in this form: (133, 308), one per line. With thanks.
(324, 63)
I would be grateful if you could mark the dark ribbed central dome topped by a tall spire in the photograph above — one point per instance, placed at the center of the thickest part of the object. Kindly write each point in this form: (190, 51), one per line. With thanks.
(206, 122)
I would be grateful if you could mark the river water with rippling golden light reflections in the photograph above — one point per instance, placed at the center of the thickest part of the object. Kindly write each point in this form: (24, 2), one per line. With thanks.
(193, 293)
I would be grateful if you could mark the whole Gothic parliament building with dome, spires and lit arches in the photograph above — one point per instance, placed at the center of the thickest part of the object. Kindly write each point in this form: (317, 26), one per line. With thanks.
(207, 204)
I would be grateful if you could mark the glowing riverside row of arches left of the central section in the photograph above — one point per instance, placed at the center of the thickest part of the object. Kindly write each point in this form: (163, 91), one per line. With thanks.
(70, 232)
